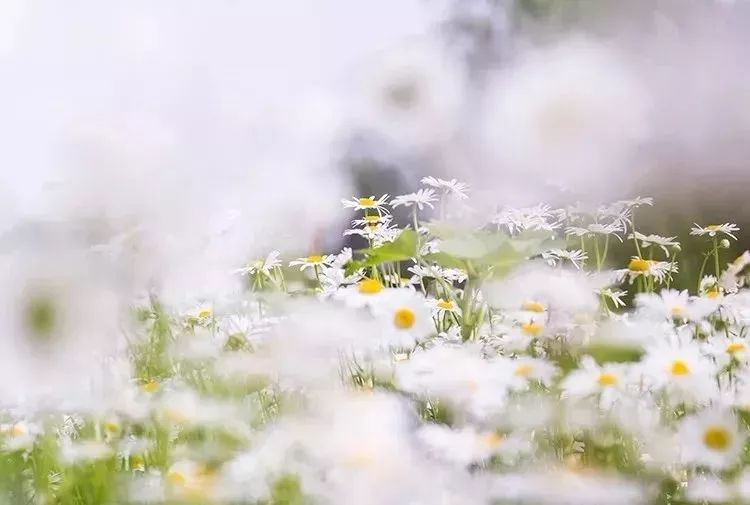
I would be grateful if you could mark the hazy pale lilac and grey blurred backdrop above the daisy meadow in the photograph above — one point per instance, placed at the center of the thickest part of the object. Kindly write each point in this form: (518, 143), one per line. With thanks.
(181, 113)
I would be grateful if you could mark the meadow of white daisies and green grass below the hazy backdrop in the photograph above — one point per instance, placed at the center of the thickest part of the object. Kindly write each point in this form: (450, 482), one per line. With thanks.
(504, 361)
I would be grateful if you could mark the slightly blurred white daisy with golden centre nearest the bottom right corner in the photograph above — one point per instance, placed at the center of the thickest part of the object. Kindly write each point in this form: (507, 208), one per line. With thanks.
(711, 438)
